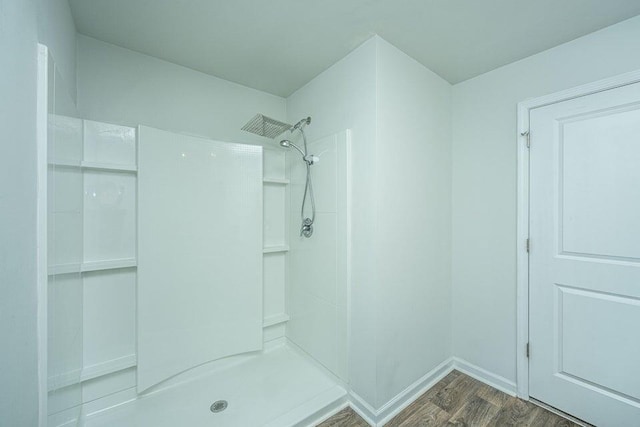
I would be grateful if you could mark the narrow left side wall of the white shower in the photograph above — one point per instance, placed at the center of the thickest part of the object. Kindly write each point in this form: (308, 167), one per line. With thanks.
(64, 291)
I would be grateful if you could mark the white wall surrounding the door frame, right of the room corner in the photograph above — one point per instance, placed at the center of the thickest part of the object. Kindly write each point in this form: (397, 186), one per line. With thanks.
(484, 183)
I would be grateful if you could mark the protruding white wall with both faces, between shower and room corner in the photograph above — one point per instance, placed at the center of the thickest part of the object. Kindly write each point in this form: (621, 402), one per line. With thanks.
(400, 301)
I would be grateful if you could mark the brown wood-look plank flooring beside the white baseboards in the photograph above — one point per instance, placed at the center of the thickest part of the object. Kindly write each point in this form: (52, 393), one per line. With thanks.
(459, 400)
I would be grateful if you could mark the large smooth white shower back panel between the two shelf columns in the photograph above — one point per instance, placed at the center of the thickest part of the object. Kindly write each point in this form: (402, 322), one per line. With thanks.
(199, 252)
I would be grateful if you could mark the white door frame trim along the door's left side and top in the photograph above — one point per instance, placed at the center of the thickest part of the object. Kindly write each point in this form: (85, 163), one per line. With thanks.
(522, 223)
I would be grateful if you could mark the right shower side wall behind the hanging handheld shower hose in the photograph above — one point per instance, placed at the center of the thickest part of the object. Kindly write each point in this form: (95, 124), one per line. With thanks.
(318, 266)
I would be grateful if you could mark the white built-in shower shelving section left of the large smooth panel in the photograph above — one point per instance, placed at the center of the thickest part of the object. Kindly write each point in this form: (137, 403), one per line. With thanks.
(91, 263)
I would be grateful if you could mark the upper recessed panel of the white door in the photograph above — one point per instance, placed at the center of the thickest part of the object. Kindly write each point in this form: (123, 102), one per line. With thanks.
(600, 158)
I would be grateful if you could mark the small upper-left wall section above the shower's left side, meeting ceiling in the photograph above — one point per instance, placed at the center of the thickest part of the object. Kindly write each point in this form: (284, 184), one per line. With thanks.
(57, 31)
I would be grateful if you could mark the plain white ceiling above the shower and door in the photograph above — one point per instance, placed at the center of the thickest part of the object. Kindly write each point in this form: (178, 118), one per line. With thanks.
(279, 45)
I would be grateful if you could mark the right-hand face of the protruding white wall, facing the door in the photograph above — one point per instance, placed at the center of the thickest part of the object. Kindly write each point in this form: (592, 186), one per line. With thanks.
(413, 232)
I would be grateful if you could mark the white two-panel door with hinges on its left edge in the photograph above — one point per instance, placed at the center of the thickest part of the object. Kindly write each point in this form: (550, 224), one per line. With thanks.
(585, 256)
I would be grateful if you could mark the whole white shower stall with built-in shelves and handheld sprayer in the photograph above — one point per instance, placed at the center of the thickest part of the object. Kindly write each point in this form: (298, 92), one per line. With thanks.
(191, 281)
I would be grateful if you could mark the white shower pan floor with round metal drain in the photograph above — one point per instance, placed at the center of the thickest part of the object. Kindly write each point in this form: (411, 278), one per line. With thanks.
(280, 387)
